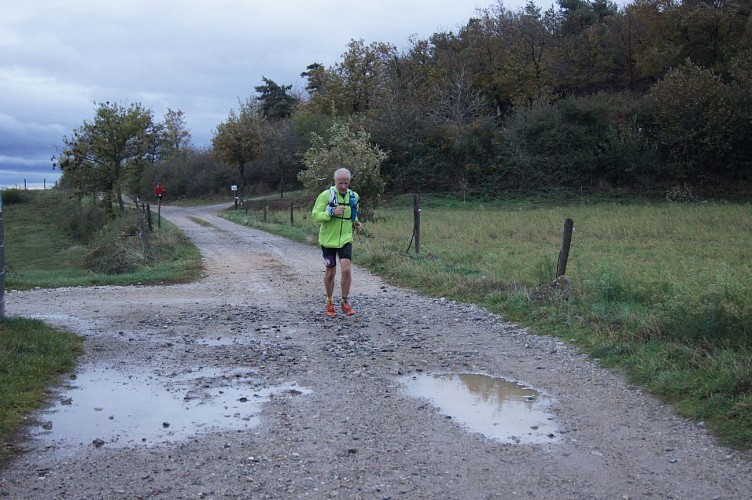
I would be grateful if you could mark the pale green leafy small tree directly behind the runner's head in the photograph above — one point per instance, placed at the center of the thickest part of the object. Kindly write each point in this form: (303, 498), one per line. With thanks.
(350, 149)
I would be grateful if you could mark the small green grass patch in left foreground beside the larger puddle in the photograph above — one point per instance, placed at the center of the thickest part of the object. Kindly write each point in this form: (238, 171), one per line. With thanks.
(32, 357)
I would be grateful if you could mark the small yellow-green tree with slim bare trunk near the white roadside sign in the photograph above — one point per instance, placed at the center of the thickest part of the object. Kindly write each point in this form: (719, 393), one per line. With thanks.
(238, 140)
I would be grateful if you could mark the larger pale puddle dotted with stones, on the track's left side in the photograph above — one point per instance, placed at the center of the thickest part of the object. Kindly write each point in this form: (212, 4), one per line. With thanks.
(107, 407)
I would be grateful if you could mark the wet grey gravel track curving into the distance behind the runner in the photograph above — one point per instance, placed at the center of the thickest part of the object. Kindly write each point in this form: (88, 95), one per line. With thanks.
(334, 418)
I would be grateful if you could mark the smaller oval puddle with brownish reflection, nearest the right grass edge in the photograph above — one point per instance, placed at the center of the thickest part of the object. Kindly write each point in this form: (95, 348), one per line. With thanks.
(499, 409)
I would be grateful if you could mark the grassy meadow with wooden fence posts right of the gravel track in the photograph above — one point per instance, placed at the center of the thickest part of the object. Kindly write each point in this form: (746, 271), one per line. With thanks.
(660, 290)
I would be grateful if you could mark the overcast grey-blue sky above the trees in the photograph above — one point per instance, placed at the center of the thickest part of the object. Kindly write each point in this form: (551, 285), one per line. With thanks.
(59, 57)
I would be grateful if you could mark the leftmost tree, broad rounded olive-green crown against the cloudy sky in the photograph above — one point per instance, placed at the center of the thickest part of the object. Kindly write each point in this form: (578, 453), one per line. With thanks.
(102, 153)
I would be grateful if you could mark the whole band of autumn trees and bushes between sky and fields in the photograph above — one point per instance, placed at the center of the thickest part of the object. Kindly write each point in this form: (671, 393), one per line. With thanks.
(654, 95)
